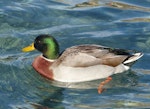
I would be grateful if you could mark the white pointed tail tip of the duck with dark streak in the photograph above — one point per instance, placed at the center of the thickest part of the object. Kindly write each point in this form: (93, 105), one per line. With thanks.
(131, 59)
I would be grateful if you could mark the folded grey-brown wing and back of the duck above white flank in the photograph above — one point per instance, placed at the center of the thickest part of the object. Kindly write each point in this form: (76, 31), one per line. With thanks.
(89, 55)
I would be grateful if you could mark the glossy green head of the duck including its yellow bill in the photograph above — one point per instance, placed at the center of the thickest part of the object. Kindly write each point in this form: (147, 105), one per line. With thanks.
(45, 44)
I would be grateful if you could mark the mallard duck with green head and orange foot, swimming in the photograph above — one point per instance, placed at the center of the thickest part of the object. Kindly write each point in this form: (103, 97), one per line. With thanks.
(79, 63)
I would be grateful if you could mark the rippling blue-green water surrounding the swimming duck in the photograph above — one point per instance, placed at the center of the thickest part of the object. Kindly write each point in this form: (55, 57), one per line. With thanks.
(122, 23)
